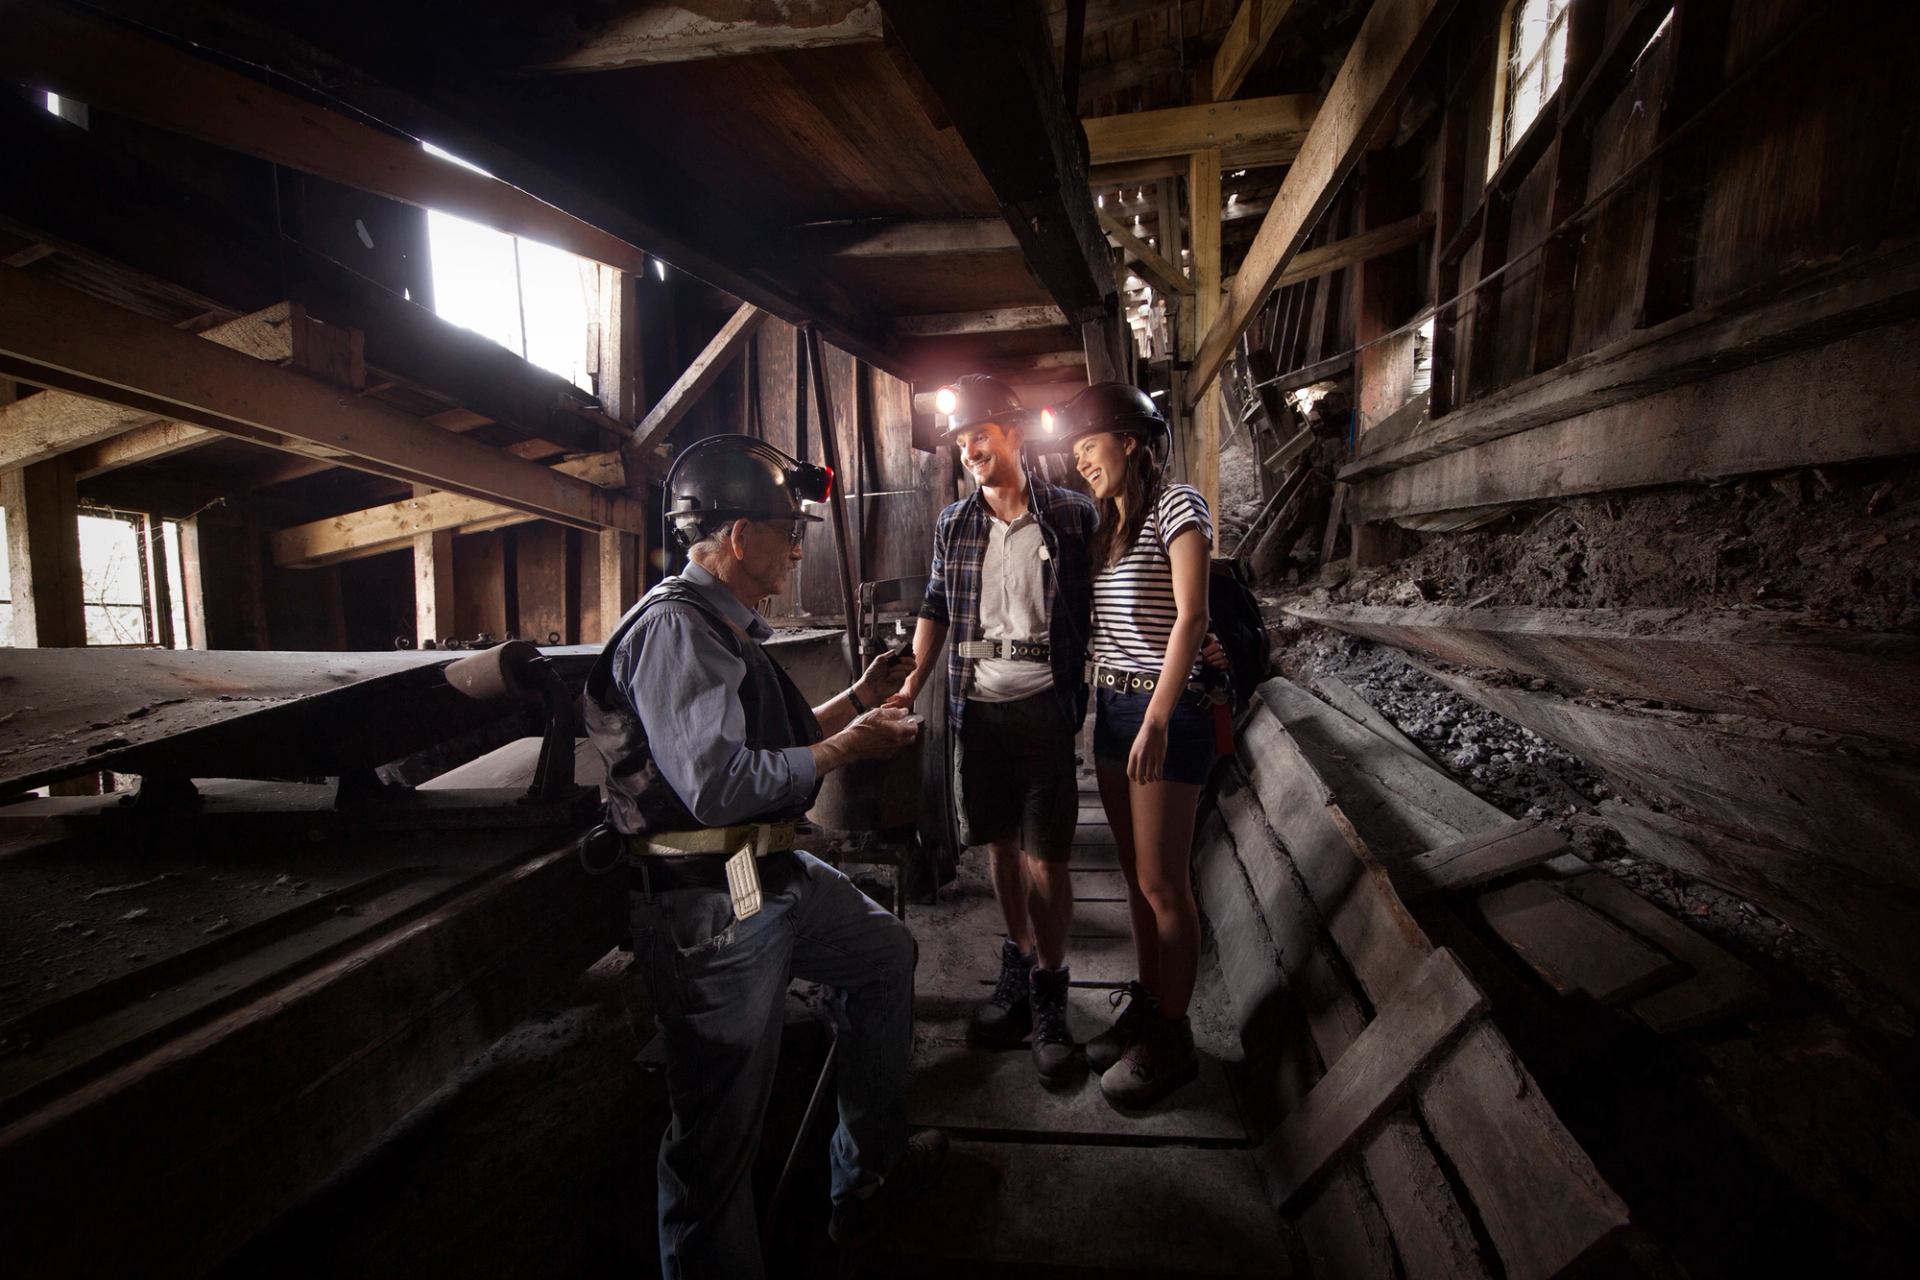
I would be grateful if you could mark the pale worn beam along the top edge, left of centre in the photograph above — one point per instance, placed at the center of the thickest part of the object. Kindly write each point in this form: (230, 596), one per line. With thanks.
(667, 34)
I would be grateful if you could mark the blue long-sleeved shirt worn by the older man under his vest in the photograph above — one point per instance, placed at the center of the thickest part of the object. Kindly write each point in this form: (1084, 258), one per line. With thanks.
(684, 684)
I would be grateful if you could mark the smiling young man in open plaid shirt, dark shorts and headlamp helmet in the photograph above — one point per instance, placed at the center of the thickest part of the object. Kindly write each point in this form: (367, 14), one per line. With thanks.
(1011, 584)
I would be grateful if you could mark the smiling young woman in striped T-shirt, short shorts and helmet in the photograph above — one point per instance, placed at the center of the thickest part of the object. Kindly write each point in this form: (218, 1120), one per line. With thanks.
(1155, 738)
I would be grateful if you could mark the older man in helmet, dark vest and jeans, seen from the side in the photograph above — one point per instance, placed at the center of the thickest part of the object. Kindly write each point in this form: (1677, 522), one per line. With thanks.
(711, 757)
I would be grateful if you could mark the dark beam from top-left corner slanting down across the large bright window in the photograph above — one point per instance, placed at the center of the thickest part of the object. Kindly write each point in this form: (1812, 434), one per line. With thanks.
(118, 70)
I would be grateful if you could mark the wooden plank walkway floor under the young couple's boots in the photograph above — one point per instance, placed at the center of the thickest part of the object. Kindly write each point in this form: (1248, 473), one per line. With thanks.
(1057, 1181)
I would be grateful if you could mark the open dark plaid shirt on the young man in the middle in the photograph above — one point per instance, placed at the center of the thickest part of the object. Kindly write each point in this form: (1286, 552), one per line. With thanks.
(953, 586)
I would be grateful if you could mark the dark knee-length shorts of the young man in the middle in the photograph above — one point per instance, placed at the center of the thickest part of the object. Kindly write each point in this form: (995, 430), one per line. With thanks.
(1015, 776)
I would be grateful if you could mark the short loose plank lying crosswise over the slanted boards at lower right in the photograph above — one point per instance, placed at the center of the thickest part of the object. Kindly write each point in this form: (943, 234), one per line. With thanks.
(1410, 1030)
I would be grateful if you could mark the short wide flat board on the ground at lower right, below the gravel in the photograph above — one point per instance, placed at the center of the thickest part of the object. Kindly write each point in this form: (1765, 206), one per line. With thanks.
(1575, 949)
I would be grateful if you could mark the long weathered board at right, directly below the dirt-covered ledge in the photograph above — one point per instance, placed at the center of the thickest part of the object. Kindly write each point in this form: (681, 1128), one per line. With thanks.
(1762, 663)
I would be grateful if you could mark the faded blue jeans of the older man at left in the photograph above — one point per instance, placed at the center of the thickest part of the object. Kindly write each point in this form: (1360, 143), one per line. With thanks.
(719, 991)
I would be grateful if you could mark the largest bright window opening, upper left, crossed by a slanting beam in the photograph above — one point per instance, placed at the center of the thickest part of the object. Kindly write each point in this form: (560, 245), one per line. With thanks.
(527, 296)
